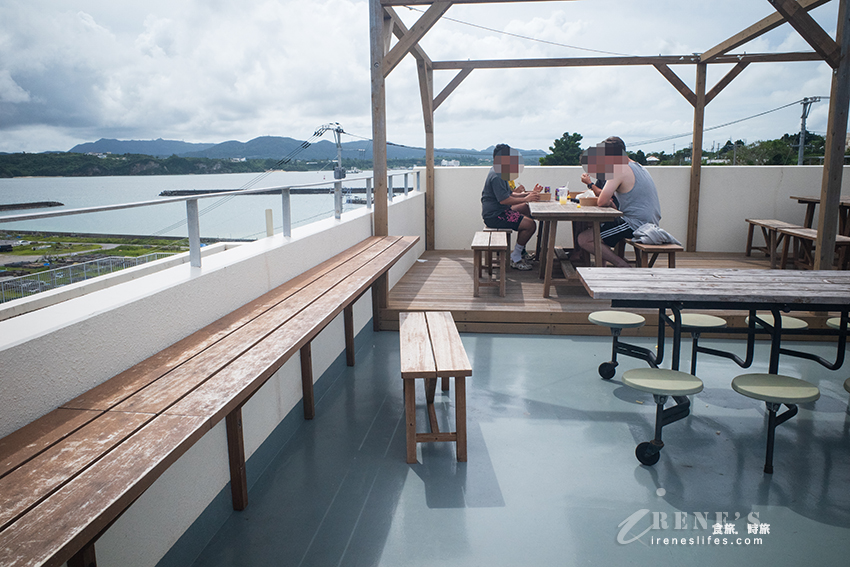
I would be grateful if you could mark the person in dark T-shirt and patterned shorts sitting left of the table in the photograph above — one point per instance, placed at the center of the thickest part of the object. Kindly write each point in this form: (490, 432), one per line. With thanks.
(503, 208)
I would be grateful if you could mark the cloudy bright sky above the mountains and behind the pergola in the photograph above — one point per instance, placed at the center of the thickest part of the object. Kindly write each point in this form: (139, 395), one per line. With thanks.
(217, 70)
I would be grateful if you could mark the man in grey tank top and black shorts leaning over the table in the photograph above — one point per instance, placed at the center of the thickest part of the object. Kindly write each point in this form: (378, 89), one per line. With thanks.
(634, 188)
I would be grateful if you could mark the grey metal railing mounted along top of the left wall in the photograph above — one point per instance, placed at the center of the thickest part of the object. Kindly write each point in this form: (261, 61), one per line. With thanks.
(193, 219)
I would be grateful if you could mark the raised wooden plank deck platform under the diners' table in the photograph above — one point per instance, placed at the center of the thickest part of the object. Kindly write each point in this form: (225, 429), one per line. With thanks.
(442, 280)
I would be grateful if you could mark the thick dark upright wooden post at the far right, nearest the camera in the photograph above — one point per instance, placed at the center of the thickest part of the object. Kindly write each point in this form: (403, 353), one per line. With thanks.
(833, 164)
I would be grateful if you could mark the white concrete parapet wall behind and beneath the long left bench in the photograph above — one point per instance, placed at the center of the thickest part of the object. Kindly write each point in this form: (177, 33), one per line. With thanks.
(49, 356)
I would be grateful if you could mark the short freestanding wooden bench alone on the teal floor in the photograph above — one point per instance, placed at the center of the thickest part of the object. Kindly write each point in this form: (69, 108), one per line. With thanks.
(431, 348)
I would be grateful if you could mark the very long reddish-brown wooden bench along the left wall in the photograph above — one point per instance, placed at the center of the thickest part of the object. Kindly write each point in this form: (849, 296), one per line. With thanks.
(66, 477)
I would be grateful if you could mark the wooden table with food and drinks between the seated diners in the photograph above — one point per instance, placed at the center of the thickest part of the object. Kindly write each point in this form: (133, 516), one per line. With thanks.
(549, 213)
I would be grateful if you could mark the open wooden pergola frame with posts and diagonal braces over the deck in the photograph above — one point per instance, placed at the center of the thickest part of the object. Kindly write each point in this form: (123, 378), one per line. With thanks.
(385, 56)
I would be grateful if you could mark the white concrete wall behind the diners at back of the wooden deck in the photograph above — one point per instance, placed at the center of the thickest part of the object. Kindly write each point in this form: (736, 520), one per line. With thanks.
(728, 196)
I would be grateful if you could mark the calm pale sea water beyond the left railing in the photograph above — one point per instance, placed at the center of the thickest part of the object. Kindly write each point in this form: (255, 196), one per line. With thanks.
(240, 217)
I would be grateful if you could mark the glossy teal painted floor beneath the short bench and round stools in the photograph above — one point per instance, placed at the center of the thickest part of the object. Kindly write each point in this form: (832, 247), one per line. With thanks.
(552, 479)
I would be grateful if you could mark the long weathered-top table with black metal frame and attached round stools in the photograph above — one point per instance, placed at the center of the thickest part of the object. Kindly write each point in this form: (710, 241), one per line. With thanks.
(746, 290)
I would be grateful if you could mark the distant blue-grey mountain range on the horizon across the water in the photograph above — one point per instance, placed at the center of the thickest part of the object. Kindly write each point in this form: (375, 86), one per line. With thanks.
(276, 147)
